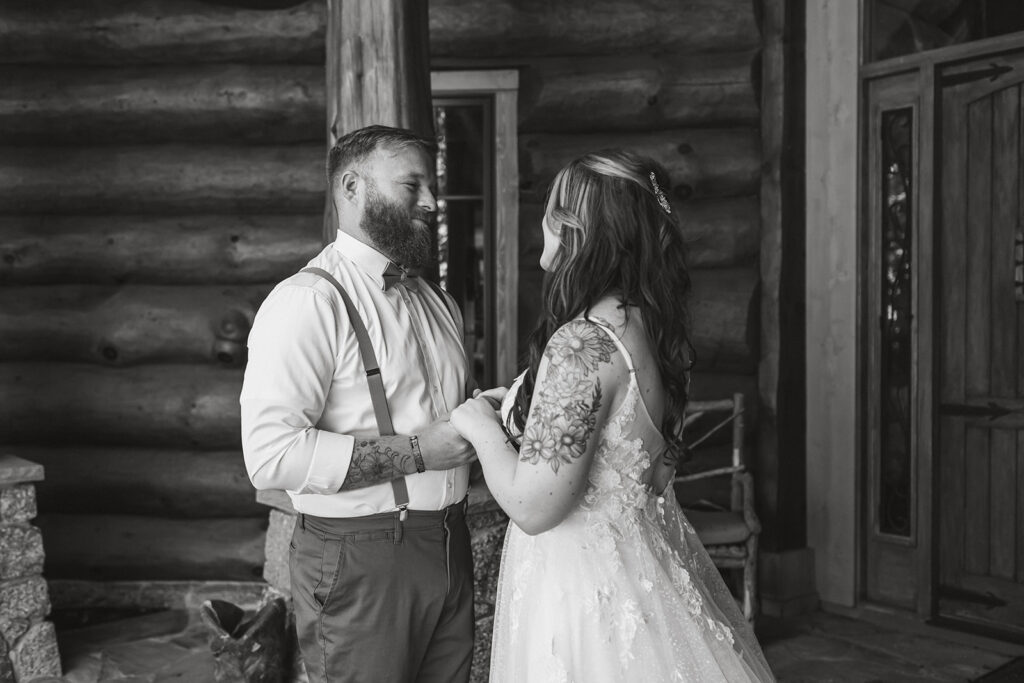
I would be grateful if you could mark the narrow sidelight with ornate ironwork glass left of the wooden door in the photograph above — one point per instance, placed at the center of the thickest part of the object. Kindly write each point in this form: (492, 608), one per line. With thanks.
(897, 533)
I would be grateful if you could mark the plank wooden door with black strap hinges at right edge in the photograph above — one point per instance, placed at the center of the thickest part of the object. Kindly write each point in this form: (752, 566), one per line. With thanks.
(980, 307)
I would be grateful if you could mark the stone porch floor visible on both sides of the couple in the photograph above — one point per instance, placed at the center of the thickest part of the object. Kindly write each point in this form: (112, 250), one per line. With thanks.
(173, 647)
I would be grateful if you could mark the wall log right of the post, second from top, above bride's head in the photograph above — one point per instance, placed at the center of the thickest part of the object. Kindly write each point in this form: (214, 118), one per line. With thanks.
(637, 93)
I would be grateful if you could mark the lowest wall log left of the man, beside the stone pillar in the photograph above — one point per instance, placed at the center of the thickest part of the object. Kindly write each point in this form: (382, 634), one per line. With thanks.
(125, 548)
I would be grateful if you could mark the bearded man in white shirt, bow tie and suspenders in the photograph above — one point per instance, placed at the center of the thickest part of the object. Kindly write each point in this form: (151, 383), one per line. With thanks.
(382, 587)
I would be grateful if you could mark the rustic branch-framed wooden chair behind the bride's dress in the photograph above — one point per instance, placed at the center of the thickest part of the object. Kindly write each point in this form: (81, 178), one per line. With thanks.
(731, 535)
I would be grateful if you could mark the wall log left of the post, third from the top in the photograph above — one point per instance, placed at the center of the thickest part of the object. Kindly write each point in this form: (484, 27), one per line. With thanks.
(163, 180)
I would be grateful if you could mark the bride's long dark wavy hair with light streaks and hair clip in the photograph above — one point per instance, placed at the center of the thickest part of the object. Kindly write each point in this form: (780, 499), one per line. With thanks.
(617, 239)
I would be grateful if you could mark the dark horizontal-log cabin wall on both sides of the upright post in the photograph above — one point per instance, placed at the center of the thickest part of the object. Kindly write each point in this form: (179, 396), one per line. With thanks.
(162, 169)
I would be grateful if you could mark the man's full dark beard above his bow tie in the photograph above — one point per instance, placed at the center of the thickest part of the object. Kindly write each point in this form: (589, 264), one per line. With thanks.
(393, 232)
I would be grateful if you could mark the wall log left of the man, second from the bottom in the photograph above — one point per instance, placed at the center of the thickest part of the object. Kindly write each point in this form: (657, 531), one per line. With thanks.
(144, 482)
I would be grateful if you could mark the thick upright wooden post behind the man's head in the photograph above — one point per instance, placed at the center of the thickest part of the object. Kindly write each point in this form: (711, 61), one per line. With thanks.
(378, 71)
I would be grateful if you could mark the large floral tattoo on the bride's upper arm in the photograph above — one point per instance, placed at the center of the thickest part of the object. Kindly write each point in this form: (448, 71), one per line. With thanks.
(565, 412)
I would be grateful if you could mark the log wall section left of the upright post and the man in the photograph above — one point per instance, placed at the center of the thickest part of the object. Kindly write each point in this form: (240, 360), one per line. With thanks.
(161, 170)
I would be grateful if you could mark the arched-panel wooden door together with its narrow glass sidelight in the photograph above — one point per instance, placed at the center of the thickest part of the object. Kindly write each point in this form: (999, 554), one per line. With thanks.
(944, 315)
